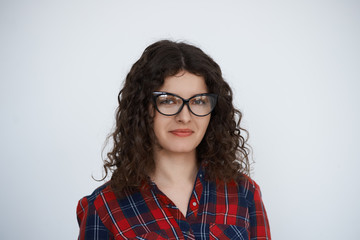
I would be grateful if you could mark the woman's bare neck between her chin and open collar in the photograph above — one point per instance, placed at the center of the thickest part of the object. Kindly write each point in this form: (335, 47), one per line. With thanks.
(174, 168)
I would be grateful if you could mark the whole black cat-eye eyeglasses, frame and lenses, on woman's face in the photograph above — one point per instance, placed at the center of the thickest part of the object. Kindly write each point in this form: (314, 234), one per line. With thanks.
(170, 104)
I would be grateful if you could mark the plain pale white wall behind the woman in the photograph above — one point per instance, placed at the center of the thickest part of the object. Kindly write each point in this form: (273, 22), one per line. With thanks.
(294, 67)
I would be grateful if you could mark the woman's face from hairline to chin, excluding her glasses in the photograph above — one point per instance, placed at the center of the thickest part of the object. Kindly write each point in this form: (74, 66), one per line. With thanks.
(183, 132)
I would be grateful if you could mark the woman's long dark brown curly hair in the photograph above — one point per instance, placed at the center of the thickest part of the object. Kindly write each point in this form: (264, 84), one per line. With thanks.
(223, 151)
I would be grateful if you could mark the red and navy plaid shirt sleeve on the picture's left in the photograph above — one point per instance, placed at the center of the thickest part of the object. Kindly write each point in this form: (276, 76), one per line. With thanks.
(91, 226)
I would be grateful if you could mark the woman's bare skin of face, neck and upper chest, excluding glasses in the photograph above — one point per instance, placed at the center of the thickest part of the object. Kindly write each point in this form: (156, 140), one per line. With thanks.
(178, 136)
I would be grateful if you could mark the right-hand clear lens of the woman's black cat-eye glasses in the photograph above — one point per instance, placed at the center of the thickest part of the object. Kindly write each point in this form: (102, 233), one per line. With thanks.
(202, 105)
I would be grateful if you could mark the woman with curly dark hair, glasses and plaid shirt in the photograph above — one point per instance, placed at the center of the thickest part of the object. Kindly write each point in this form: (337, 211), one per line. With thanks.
(179, 162)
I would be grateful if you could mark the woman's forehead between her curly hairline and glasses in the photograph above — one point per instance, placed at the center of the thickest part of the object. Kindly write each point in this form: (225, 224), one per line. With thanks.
(184, 84)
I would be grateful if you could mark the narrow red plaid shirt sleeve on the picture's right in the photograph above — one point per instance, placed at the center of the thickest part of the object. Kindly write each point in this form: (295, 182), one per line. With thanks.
(259, 224)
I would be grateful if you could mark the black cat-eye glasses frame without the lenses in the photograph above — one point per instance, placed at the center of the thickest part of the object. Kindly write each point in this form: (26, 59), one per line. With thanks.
(184, 102)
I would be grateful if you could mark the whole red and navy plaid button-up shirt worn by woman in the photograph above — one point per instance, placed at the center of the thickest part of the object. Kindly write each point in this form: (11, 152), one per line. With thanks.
(216, 211)
